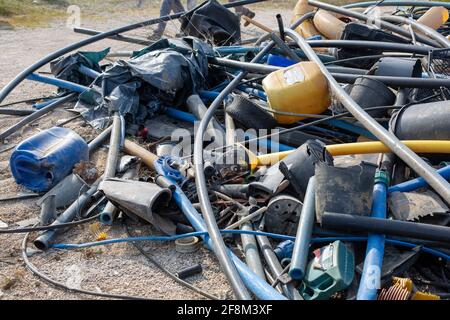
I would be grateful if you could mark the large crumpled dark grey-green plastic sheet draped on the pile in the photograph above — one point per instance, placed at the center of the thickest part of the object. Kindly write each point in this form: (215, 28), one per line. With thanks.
(165, 73)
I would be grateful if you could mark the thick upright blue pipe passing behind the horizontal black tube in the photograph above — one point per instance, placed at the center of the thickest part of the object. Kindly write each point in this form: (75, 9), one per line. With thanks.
(371, 275)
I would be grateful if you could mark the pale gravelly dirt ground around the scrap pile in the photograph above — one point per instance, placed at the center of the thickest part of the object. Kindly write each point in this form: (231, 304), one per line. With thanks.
(117, 269)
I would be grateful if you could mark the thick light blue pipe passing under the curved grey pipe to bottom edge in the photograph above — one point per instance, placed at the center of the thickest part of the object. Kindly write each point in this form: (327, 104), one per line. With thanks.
(255, 284)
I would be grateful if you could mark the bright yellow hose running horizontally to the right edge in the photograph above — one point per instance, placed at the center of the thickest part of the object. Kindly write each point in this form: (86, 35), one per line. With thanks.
(418, 146)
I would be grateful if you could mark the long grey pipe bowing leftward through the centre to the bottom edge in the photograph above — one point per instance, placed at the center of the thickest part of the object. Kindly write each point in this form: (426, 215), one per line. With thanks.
(219, 247)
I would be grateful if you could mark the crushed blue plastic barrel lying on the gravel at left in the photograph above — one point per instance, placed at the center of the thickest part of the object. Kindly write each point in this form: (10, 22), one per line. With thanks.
(43, 160)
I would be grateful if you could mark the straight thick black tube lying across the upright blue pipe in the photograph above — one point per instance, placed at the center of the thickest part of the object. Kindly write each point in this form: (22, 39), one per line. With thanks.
(354, 223)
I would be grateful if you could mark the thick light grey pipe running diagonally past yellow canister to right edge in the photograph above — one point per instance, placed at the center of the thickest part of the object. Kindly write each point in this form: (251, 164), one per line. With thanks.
(439, 184)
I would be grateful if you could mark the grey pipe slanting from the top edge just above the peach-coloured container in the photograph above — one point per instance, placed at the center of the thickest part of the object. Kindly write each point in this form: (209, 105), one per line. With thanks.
(366, 18)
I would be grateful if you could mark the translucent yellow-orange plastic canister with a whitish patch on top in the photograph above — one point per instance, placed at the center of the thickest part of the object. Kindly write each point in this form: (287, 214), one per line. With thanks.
(300, 88)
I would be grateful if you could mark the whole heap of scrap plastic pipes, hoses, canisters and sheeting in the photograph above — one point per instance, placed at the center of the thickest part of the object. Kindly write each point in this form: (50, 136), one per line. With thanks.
(313, 160)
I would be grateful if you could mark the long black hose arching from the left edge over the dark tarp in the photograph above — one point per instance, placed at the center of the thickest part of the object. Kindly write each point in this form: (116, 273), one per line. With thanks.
(54, 55)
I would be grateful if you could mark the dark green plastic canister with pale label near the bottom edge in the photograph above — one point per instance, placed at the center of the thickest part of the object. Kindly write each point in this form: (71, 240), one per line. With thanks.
(332, 270)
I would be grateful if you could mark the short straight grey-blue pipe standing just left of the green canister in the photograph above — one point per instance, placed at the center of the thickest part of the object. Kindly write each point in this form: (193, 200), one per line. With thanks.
(304, 232)
